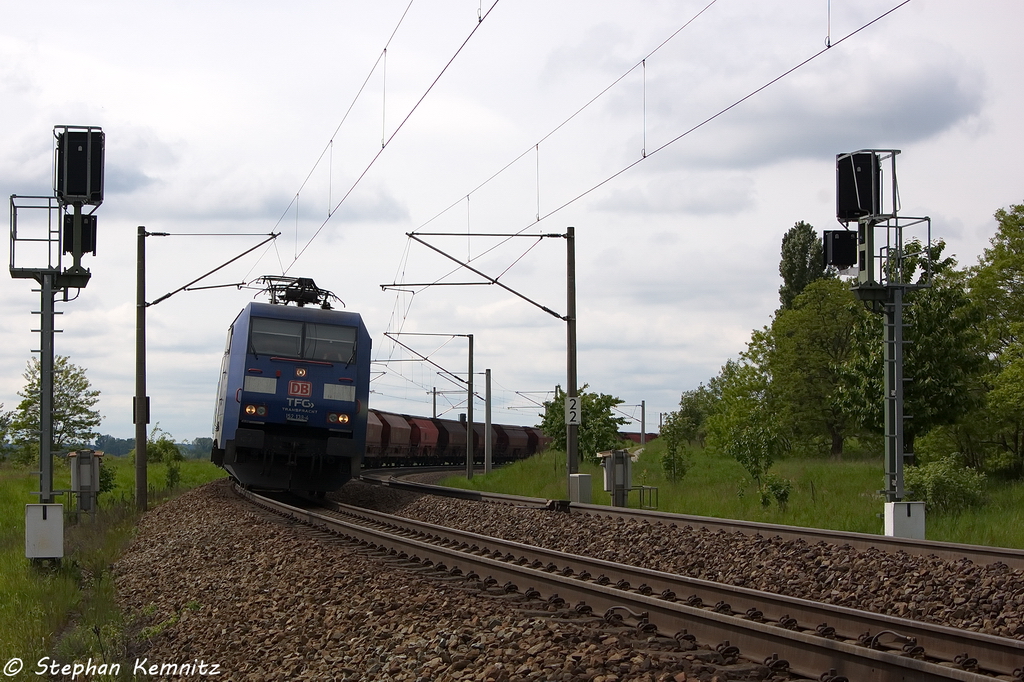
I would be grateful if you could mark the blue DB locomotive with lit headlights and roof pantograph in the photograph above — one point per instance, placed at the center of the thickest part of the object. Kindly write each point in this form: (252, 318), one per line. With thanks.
(292, 398)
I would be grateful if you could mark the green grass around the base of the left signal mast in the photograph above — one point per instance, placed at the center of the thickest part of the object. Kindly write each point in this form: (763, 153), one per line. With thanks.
(70, 613)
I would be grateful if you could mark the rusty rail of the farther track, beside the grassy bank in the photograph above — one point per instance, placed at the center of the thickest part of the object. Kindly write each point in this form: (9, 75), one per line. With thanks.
(979, 555)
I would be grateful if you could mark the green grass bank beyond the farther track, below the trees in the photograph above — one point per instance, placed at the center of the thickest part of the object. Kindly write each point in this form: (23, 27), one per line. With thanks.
(840, 496)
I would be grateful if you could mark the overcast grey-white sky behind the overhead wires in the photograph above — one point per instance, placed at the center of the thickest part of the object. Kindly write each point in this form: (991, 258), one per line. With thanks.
(247, 118)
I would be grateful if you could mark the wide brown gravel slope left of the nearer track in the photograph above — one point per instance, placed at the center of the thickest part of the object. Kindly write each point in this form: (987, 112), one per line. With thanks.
(211, 582)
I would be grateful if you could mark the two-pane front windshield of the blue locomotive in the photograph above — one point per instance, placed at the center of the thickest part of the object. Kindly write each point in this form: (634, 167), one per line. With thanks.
(292, 338)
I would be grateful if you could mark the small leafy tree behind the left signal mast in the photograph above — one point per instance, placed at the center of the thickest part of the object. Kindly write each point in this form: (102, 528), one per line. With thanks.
(74, 416)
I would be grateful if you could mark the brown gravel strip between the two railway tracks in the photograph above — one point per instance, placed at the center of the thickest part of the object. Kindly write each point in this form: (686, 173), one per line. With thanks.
(960, 594)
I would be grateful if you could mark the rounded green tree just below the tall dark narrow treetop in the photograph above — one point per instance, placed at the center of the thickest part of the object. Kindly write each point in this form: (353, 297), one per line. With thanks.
(812, 363)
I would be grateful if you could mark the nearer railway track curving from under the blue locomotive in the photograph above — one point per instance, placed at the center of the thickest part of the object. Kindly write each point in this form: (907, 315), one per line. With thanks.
(817, 642)
